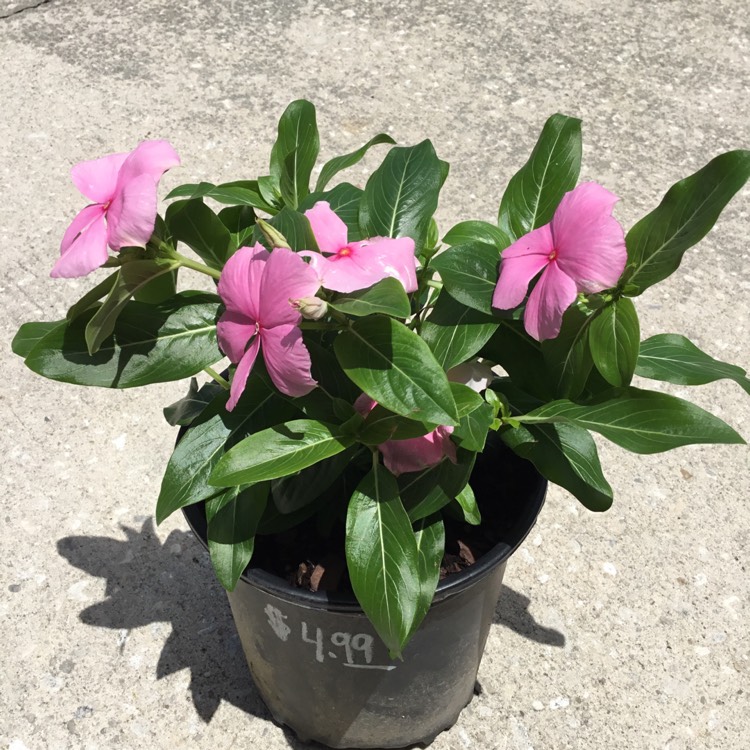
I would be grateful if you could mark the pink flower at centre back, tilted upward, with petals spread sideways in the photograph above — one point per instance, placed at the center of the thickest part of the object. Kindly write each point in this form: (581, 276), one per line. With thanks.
(357, 265)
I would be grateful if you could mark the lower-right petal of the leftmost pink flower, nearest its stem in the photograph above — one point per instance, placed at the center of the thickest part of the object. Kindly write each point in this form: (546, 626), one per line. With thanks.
(132, 214)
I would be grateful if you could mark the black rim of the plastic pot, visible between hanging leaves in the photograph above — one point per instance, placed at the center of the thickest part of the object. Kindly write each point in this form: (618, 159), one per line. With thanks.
(449, 586)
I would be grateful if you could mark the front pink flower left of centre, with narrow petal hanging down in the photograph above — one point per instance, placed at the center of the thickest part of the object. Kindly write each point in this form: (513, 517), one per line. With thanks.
(257, 287)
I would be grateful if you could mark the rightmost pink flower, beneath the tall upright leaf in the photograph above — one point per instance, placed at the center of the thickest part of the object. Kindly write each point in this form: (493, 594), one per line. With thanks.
(581, 250)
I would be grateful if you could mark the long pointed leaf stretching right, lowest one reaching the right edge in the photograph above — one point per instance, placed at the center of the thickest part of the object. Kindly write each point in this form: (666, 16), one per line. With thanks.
(640, 421)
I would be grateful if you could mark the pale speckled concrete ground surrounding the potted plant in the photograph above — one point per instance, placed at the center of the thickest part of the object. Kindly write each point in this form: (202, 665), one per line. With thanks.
(627, 630)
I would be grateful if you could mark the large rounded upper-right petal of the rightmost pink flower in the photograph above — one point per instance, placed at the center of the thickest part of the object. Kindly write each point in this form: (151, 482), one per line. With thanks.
(589, 241)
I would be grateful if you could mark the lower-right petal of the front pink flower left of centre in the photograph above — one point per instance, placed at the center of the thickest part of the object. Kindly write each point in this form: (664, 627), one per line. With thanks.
(287, 360)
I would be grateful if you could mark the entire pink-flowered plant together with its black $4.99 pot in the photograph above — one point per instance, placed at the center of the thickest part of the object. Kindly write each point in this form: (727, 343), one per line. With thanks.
(376, 392)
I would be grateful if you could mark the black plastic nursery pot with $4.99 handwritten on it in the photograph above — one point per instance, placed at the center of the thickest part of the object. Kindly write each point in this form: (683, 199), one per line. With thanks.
(321, 668)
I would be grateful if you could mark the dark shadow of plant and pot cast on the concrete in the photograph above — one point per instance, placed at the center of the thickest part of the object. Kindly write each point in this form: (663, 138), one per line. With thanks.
(149, 581)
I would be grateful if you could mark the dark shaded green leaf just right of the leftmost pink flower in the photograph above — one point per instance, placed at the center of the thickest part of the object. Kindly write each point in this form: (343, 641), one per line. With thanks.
(196, 225)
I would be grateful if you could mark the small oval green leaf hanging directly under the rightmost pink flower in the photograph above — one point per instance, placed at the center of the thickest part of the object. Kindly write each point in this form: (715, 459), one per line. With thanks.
(614, 338)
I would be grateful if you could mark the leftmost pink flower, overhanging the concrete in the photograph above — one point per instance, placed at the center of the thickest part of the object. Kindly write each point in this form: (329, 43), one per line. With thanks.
(123, 190)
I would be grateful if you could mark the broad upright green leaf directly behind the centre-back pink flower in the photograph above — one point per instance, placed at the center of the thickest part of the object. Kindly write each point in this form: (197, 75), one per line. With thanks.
(402, 194)
